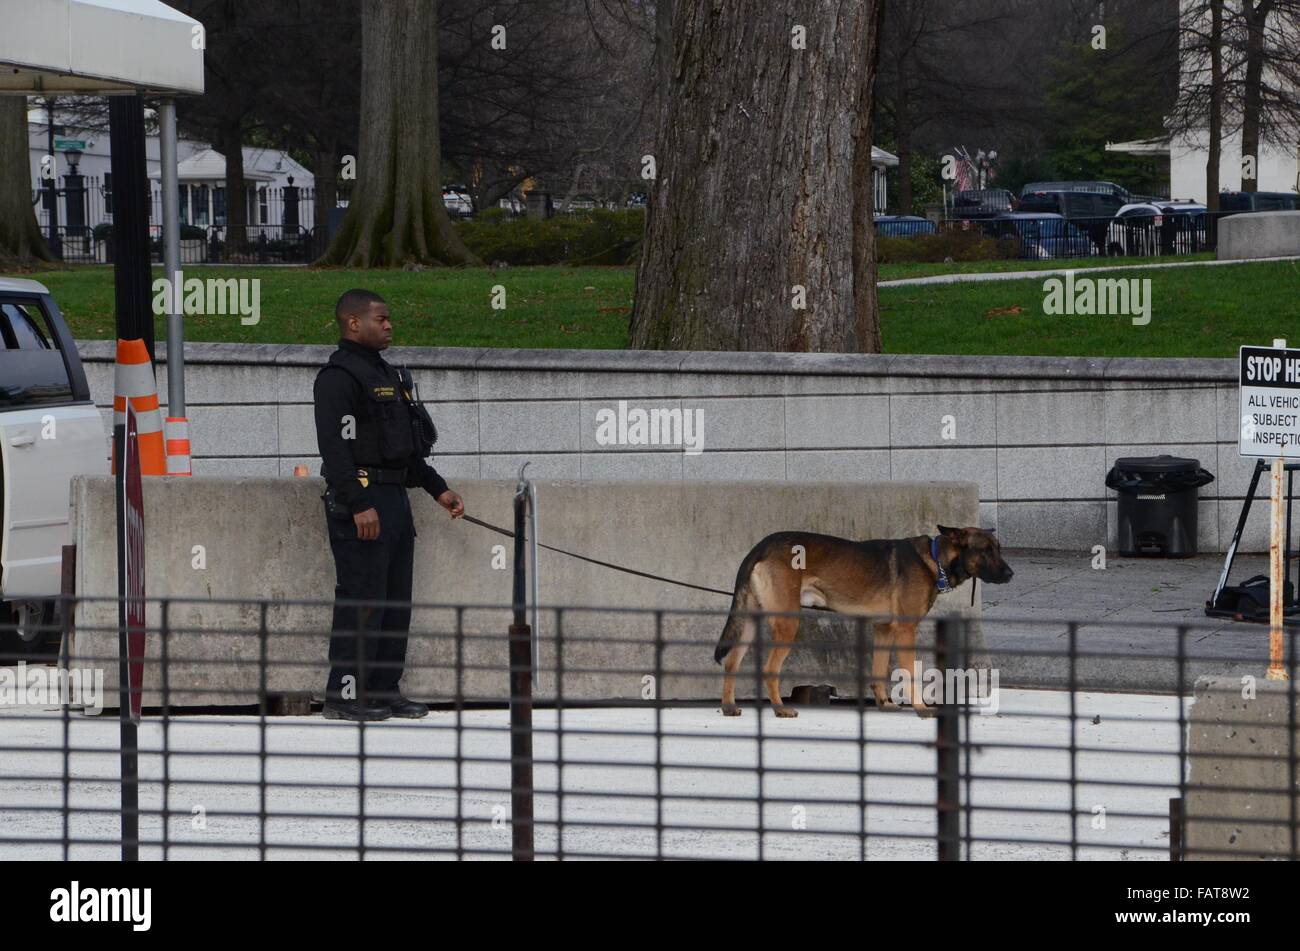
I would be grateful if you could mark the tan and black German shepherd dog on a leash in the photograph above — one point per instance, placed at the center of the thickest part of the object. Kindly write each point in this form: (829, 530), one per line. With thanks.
(895, 579)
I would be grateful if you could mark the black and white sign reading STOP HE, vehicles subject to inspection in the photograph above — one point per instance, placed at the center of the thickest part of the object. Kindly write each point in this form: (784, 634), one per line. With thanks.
(1269, 381)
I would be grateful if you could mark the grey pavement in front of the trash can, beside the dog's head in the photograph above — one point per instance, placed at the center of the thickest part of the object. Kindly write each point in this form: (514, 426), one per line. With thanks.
(1137, 606)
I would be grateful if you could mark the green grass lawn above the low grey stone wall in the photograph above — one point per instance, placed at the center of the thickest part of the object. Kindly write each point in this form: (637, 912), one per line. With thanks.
(1195, 311)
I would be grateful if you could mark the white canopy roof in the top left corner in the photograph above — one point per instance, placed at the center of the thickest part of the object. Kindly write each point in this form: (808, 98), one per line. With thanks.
(99, 47)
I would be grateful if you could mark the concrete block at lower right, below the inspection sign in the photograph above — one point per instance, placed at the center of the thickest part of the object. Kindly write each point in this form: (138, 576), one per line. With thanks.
(1238, 804)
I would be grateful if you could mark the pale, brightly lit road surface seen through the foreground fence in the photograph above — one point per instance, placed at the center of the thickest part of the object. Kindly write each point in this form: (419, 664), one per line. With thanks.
(418, 804)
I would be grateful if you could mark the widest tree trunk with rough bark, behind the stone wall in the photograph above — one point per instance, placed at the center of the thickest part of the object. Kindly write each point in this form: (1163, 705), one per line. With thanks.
(751, 242)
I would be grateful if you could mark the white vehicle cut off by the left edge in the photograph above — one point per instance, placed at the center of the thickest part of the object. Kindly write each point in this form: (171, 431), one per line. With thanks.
(50, 431)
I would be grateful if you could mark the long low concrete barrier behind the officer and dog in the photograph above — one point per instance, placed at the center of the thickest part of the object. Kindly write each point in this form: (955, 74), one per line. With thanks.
(265, 539)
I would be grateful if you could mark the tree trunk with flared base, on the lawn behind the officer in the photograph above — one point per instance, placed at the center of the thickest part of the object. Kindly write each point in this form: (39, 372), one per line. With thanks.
(397, 214)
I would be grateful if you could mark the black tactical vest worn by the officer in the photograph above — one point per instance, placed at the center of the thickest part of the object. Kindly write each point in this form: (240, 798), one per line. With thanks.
(392, 427)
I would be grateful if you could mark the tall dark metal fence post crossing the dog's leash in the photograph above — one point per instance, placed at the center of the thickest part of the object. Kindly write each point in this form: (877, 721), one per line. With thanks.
(521, 704)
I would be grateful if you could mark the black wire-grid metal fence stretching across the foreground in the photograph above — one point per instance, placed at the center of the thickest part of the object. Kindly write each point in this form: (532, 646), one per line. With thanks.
(614, 746)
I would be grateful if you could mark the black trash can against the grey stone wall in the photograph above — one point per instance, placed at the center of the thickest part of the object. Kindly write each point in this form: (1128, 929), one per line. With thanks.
(1158, 505)
